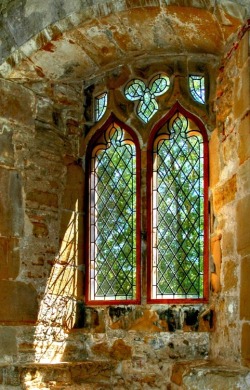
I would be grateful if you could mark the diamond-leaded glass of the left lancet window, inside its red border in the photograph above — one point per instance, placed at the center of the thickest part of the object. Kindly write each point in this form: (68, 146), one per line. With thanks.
(113, 218)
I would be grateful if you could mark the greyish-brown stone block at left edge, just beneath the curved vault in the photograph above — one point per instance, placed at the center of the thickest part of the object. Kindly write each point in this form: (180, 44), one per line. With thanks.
(17, 103)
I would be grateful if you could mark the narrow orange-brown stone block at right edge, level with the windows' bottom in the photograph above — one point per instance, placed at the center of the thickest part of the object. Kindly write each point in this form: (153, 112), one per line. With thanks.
(244, 289)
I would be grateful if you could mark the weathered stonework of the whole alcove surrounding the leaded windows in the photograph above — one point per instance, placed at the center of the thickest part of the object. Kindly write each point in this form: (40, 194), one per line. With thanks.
(53, 65)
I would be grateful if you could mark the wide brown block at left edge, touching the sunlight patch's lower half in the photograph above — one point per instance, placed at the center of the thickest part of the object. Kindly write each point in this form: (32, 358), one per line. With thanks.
(18, 302)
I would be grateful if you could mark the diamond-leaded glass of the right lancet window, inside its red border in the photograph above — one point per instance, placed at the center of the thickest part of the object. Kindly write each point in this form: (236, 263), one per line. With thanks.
(178, 197)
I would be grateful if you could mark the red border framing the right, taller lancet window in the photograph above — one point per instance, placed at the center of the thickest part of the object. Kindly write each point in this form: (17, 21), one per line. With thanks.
(177, 108)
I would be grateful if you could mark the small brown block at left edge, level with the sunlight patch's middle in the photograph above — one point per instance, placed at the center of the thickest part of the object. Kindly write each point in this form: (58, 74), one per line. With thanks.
(9, 257)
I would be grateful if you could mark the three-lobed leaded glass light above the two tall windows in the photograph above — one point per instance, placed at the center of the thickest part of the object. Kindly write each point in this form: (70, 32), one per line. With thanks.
(147, 105)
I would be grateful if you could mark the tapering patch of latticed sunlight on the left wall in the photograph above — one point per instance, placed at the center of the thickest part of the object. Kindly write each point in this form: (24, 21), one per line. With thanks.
(58, 306)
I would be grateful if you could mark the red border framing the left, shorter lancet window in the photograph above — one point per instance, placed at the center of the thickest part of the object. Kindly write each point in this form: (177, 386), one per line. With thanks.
(92, 143)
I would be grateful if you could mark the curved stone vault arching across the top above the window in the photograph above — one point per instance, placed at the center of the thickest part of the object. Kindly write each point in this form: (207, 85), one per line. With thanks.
(76, 39)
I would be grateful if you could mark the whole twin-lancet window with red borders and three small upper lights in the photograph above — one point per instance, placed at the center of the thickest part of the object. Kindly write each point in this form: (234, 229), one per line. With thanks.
(167, 229)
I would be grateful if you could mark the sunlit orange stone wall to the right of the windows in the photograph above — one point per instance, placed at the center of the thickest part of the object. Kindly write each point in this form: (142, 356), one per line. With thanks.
(229, 182)
